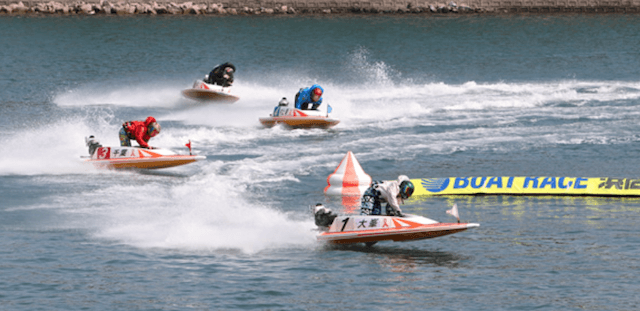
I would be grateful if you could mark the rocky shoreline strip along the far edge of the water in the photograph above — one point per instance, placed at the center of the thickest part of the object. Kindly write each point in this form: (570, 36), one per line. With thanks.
(293, 7)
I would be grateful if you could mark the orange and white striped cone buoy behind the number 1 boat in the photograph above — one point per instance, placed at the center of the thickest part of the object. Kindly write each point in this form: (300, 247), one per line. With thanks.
(349, 179)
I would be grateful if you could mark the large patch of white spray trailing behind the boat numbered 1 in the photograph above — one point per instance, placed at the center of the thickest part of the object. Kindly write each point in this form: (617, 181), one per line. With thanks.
(207, 212)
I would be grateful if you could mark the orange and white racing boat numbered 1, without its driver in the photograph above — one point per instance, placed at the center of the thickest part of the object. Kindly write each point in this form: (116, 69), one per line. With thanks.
(370, 229)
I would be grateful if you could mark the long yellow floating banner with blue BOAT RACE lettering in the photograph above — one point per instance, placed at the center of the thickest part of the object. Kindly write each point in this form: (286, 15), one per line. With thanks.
(512, 185)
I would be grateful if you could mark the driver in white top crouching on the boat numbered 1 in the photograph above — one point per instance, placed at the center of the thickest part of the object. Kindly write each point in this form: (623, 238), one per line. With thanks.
(386, 192)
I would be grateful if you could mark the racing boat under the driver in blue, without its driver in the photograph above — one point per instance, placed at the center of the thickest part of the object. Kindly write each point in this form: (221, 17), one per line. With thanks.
(297, 118)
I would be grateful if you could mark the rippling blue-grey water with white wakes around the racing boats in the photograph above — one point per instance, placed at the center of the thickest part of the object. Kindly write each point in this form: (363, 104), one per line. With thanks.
(448, 96)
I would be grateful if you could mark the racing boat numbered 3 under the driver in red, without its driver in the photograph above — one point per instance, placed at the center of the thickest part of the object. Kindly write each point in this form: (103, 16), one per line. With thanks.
(136, 157)
